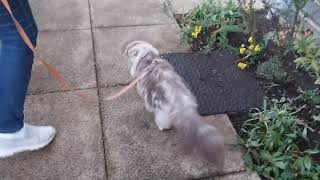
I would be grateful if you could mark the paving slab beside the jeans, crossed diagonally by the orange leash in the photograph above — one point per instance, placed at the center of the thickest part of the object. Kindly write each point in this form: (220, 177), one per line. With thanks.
(70, 53)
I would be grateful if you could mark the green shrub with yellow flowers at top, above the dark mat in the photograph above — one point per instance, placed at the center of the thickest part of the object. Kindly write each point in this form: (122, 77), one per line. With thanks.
(208, 25)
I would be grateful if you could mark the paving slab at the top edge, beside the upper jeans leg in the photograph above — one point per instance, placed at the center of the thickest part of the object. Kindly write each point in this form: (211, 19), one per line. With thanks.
(61, 14)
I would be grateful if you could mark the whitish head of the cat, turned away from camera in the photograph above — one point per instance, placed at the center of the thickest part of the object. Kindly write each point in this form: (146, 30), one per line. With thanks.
(136, 51)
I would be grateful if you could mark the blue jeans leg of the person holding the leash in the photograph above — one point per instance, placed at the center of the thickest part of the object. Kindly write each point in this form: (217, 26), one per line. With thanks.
(16, 61)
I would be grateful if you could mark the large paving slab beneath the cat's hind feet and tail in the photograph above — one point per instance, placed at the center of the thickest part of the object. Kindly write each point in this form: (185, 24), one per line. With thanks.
(136, 149)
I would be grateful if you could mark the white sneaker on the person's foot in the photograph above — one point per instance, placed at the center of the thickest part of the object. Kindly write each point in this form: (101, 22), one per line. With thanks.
(29, 138)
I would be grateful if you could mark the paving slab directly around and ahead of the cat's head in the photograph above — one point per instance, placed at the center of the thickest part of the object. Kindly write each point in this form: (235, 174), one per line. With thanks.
(110, 43)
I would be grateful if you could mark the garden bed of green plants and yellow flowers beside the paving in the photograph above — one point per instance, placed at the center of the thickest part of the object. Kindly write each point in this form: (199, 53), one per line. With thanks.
(281, 137)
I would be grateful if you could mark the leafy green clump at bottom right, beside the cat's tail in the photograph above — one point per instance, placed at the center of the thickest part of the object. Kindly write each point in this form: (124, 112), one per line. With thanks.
(273, 134)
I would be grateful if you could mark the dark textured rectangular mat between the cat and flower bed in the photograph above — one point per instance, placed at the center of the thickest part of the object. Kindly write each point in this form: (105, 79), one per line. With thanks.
(216, 81)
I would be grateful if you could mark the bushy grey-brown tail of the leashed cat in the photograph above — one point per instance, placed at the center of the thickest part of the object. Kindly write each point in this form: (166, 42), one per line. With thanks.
(202, 138)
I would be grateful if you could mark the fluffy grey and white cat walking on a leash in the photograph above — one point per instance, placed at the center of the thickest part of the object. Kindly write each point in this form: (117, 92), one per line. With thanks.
(166, 95)
